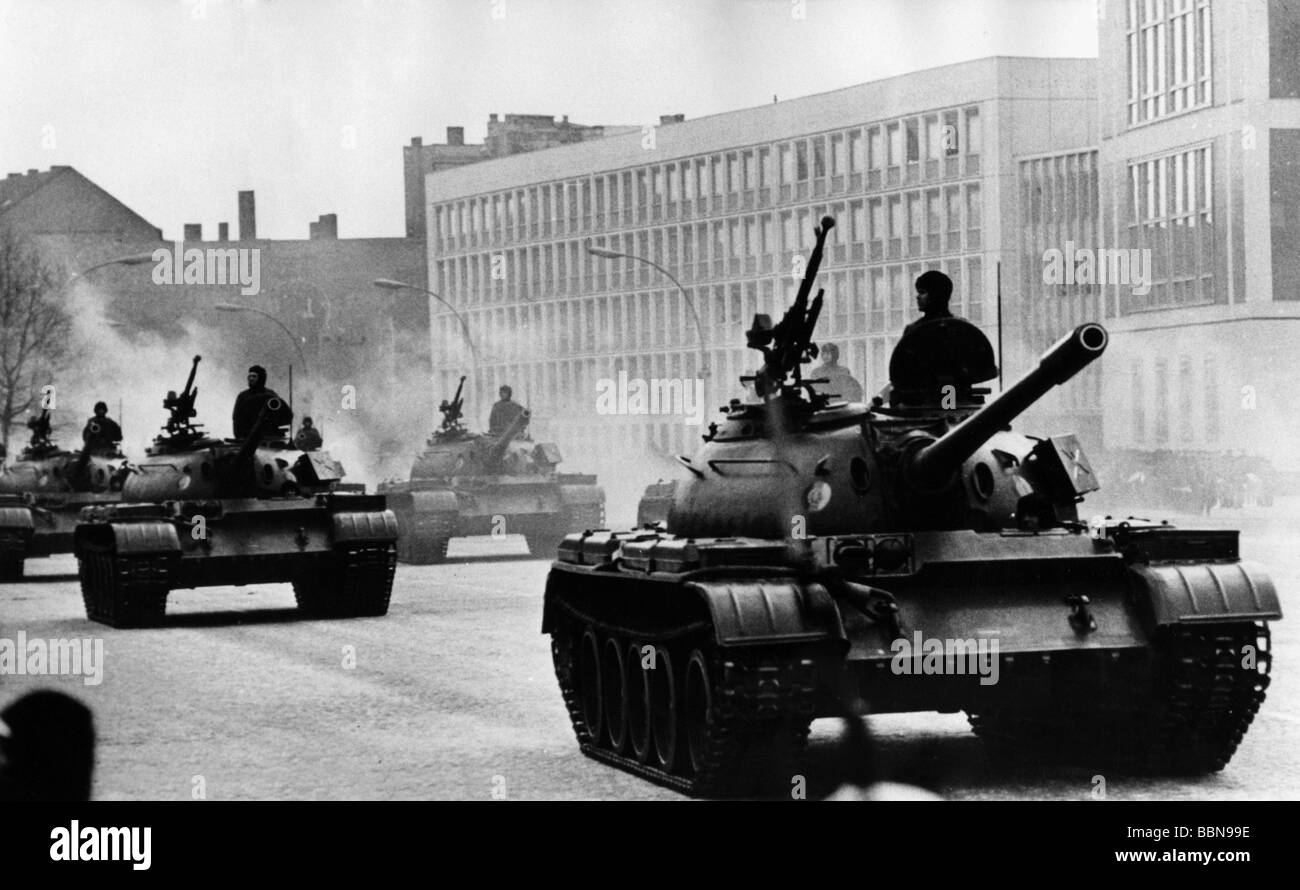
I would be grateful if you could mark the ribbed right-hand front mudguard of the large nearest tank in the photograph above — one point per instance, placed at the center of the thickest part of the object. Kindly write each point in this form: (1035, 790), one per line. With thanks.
(1191, 593)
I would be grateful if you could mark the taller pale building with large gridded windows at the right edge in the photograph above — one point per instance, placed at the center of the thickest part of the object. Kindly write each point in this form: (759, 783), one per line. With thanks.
(1199, 163)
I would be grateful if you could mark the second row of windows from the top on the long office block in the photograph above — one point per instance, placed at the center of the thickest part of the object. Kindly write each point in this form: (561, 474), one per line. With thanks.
(922, 223)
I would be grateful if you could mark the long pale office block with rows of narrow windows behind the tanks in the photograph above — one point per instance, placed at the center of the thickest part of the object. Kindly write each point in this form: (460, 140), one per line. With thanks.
(920, 171)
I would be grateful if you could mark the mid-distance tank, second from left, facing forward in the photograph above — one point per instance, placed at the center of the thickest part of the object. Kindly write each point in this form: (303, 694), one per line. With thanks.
(202, 513)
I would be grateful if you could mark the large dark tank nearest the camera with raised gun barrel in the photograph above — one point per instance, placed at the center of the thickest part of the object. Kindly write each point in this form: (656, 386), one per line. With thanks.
(913, 554)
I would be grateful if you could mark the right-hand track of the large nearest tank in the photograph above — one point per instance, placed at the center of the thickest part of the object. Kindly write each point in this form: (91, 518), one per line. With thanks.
(1203, 705)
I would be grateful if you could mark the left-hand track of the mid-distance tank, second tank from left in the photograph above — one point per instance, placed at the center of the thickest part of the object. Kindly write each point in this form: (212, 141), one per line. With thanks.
(124, 591)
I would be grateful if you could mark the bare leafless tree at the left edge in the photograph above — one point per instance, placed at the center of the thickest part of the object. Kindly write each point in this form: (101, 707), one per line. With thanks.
(34, 329)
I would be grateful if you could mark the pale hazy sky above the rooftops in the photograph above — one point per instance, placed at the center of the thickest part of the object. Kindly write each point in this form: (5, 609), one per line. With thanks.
(176, 106)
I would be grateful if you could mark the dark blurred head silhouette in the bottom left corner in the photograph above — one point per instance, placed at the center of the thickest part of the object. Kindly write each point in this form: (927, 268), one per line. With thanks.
(47, 749)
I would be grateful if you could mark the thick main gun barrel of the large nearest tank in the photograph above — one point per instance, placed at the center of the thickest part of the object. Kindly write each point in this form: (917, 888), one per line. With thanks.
(929, 467)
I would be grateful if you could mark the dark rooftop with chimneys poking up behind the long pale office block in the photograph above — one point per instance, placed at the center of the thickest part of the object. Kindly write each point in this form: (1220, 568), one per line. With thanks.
(515, 134)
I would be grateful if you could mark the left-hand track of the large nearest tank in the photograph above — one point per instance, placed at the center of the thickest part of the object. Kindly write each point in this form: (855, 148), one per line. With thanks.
(764, 702)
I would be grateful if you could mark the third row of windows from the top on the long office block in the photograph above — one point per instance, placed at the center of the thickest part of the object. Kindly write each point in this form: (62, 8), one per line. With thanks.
(878, 301)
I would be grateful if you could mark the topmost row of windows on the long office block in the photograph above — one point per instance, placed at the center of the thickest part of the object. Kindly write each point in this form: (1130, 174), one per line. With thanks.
(872, 158)
